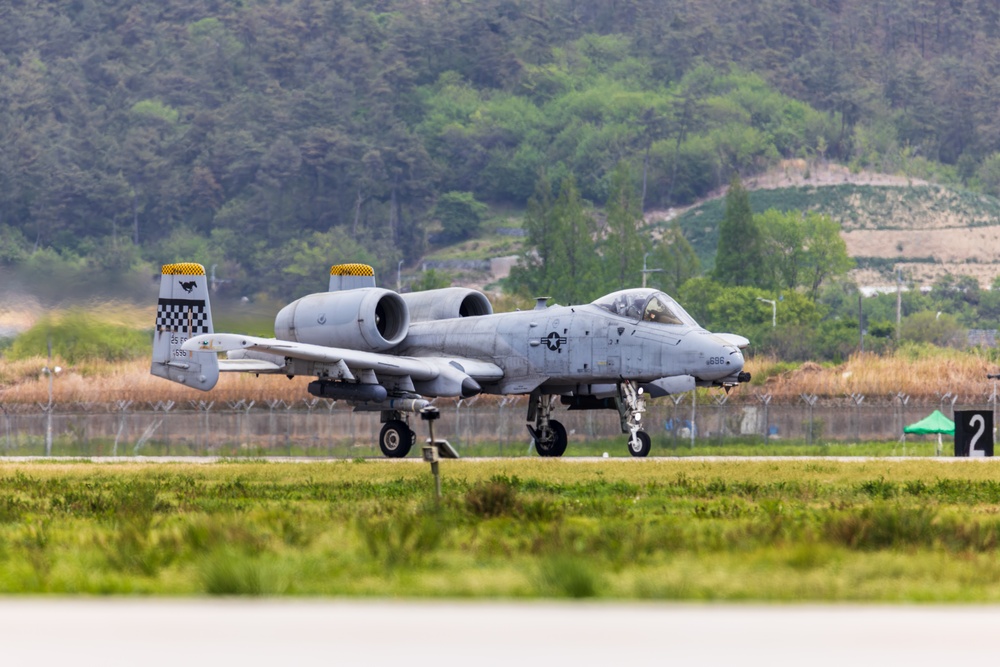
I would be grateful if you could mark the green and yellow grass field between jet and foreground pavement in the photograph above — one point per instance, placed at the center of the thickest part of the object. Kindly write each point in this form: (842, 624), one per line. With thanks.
(653, 529)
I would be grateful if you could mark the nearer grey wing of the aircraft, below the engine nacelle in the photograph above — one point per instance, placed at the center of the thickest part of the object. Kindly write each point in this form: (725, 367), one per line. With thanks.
(419, 369)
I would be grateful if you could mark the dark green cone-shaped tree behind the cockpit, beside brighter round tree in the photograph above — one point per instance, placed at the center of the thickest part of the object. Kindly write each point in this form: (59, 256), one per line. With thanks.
(739, 260)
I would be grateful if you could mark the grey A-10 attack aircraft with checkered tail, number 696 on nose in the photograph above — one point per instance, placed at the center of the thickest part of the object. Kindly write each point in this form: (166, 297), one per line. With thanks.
(388, 352)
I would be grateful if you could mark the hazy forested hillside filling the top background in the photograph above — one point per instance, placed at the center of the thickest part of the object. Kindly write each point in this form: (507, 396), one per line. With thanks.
(273, 138)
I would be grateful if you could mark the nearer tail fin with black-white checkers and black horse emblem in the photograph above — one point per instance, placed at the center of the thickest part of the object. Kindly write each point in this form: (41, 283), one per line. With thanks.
(182, 312)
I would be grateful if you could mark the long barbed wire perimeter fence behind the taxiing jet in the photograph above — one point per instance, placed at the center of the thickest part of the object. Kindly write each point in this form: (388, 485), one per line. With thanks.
(323, 427)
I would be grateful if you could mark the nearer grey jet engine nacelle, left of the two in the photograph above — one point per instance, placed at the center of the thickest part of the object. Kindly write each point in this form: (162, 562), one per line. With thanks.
(369, 319)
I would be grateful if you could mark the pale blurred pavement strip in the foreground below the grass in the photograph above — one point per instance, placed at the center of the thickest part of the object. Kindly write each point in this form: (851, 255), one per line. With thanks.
(186, 632)
